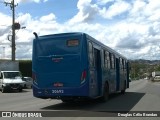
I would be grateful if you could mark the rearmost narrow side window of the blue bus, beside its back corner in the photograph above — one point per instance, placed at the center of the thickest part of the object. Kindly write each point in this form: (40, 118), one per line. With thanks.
(90, 53)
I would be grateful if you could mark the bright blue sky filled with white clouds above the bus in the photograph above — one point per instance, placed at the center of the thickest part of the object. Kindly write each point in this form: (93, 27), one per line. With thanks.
(131, 27)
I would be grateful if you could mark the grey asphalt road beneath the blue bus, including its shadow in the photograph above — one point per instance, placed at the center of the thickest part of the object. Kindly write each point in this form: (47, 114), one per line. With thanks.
(142, 95)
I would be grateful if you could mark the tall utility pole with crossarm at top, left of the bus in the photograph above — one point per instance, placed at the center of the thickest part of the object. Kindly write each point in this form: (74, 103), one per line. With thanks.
(12, 6)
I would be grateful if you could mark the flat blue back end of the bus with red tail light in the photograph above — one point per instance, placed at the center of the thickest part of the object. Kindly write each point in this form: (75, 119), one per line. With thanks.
(60, 66)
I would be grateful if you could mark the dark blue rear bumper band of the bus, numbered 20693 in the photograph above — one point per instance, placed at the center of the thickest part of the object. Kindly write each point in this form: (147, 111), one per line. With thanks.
(59, 93)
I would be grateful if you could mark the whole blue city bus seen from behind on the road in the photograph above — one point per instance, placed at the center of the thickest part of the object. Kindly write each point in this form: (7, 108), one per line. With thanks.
(74, 66)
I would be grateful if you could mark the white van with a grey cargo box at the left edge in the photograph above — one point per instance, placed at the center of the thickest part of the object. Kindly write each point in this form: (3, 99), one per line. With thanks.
(10, 76)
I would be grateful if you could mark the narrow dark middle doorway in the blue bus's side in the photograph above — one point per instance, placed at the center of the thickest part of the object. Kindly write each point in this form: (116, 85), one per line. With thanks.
(117, 74)
